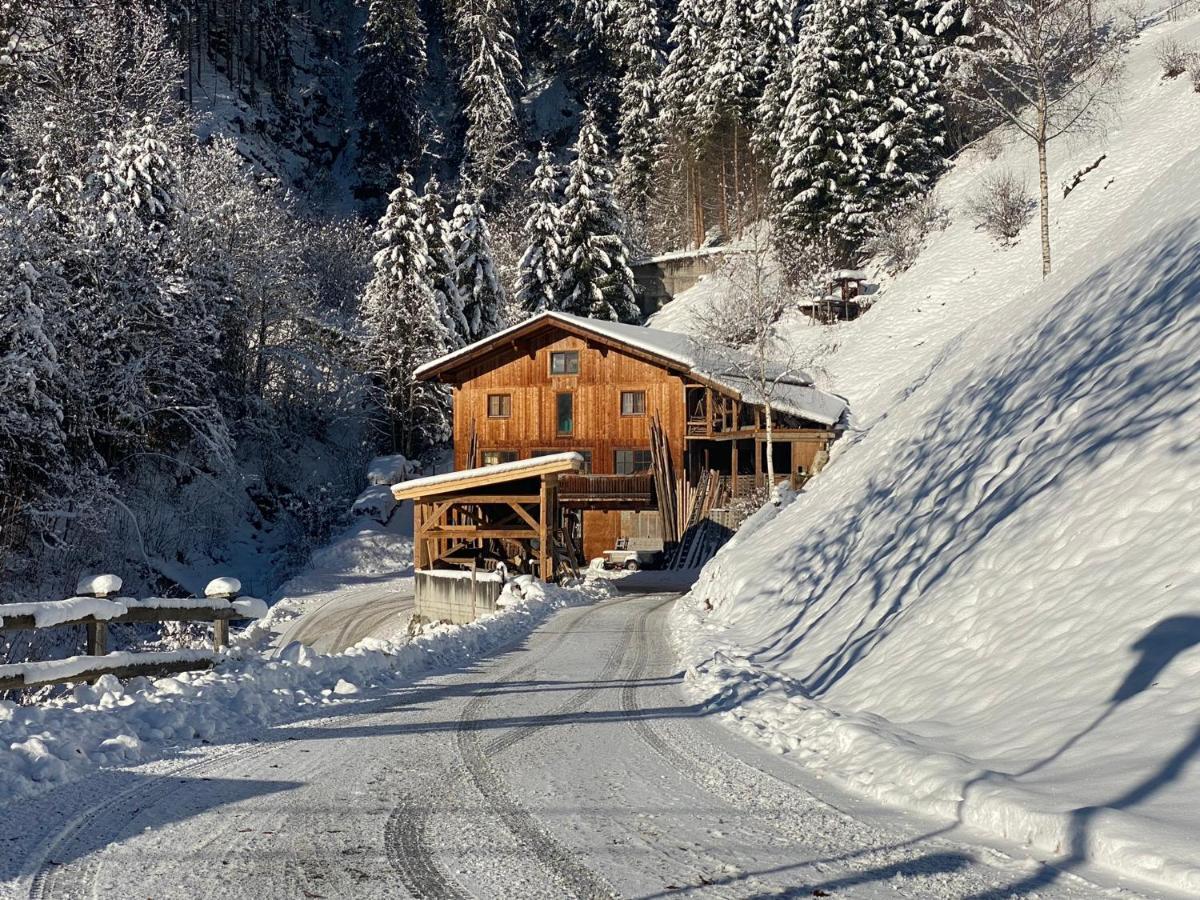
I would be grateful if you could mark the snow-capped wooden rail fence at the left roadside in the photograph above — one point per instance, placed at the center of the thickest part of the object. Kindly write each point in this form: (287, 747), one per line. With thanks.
(97, 607)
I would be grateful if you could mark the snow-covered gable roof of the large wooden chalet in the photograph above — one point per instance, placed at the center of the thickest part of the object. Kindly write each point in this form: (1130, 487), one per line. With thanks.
(795, 392)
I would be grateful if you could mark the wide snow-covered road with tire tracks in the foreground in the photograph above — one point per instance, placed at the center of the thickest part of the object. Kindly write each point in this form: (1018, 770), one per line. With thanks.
(567, 766)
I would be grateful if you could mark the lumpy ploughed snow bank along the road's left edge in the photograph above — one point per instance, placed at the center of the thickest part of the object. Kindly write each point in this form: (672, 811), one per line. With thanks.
(112, 723)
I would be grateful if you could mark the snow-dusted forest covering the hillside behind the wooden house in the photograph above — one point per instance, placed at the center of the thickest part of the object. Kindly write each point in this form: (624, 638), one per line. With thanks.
(232, 230)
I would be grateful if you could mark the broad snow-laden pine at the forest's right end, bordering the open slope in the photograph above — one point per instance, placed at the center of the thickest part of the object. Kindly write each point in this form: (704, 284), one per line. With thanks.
(862, 127)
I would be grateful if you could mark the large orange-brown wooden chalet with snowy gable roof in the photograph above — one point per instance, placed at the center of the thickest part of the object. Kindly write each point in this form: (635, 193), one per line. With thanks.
(669, 434)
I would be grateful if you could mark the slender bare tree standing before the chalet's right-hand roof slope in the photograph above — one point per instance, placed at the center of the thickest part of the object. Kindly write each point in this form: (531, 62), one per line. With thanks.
(741, 327)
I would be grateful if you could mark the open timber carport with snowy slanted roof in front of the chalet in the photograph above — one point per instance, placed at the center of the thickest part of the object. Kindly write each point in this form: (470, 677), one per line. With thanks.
(507, 514)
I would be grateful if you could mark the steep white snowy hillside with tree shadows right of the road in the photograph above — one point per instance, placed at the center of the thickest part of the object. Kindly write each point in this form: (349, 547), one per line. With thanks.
(988, 608)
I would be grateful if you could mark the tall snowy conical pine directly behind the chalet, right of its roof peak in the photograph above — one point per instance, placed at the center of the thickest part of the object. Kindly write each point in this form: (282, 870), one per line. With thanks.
(597, 280)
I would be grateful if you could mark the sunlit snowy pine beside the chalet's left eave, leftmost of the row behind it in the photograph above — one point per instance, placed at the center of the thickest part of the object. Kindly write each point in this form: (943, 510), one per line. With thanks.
(405, 327)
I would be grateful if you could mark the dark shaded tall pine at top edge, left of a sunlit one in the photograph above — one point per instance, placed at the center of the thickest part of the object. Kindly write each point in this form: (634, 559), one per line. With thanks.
(393, 61)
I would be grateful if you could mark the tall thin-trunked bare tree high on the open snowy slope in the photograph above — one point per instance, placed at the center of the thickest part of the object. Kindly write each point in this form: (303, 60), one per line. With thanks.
(1041, 65)
